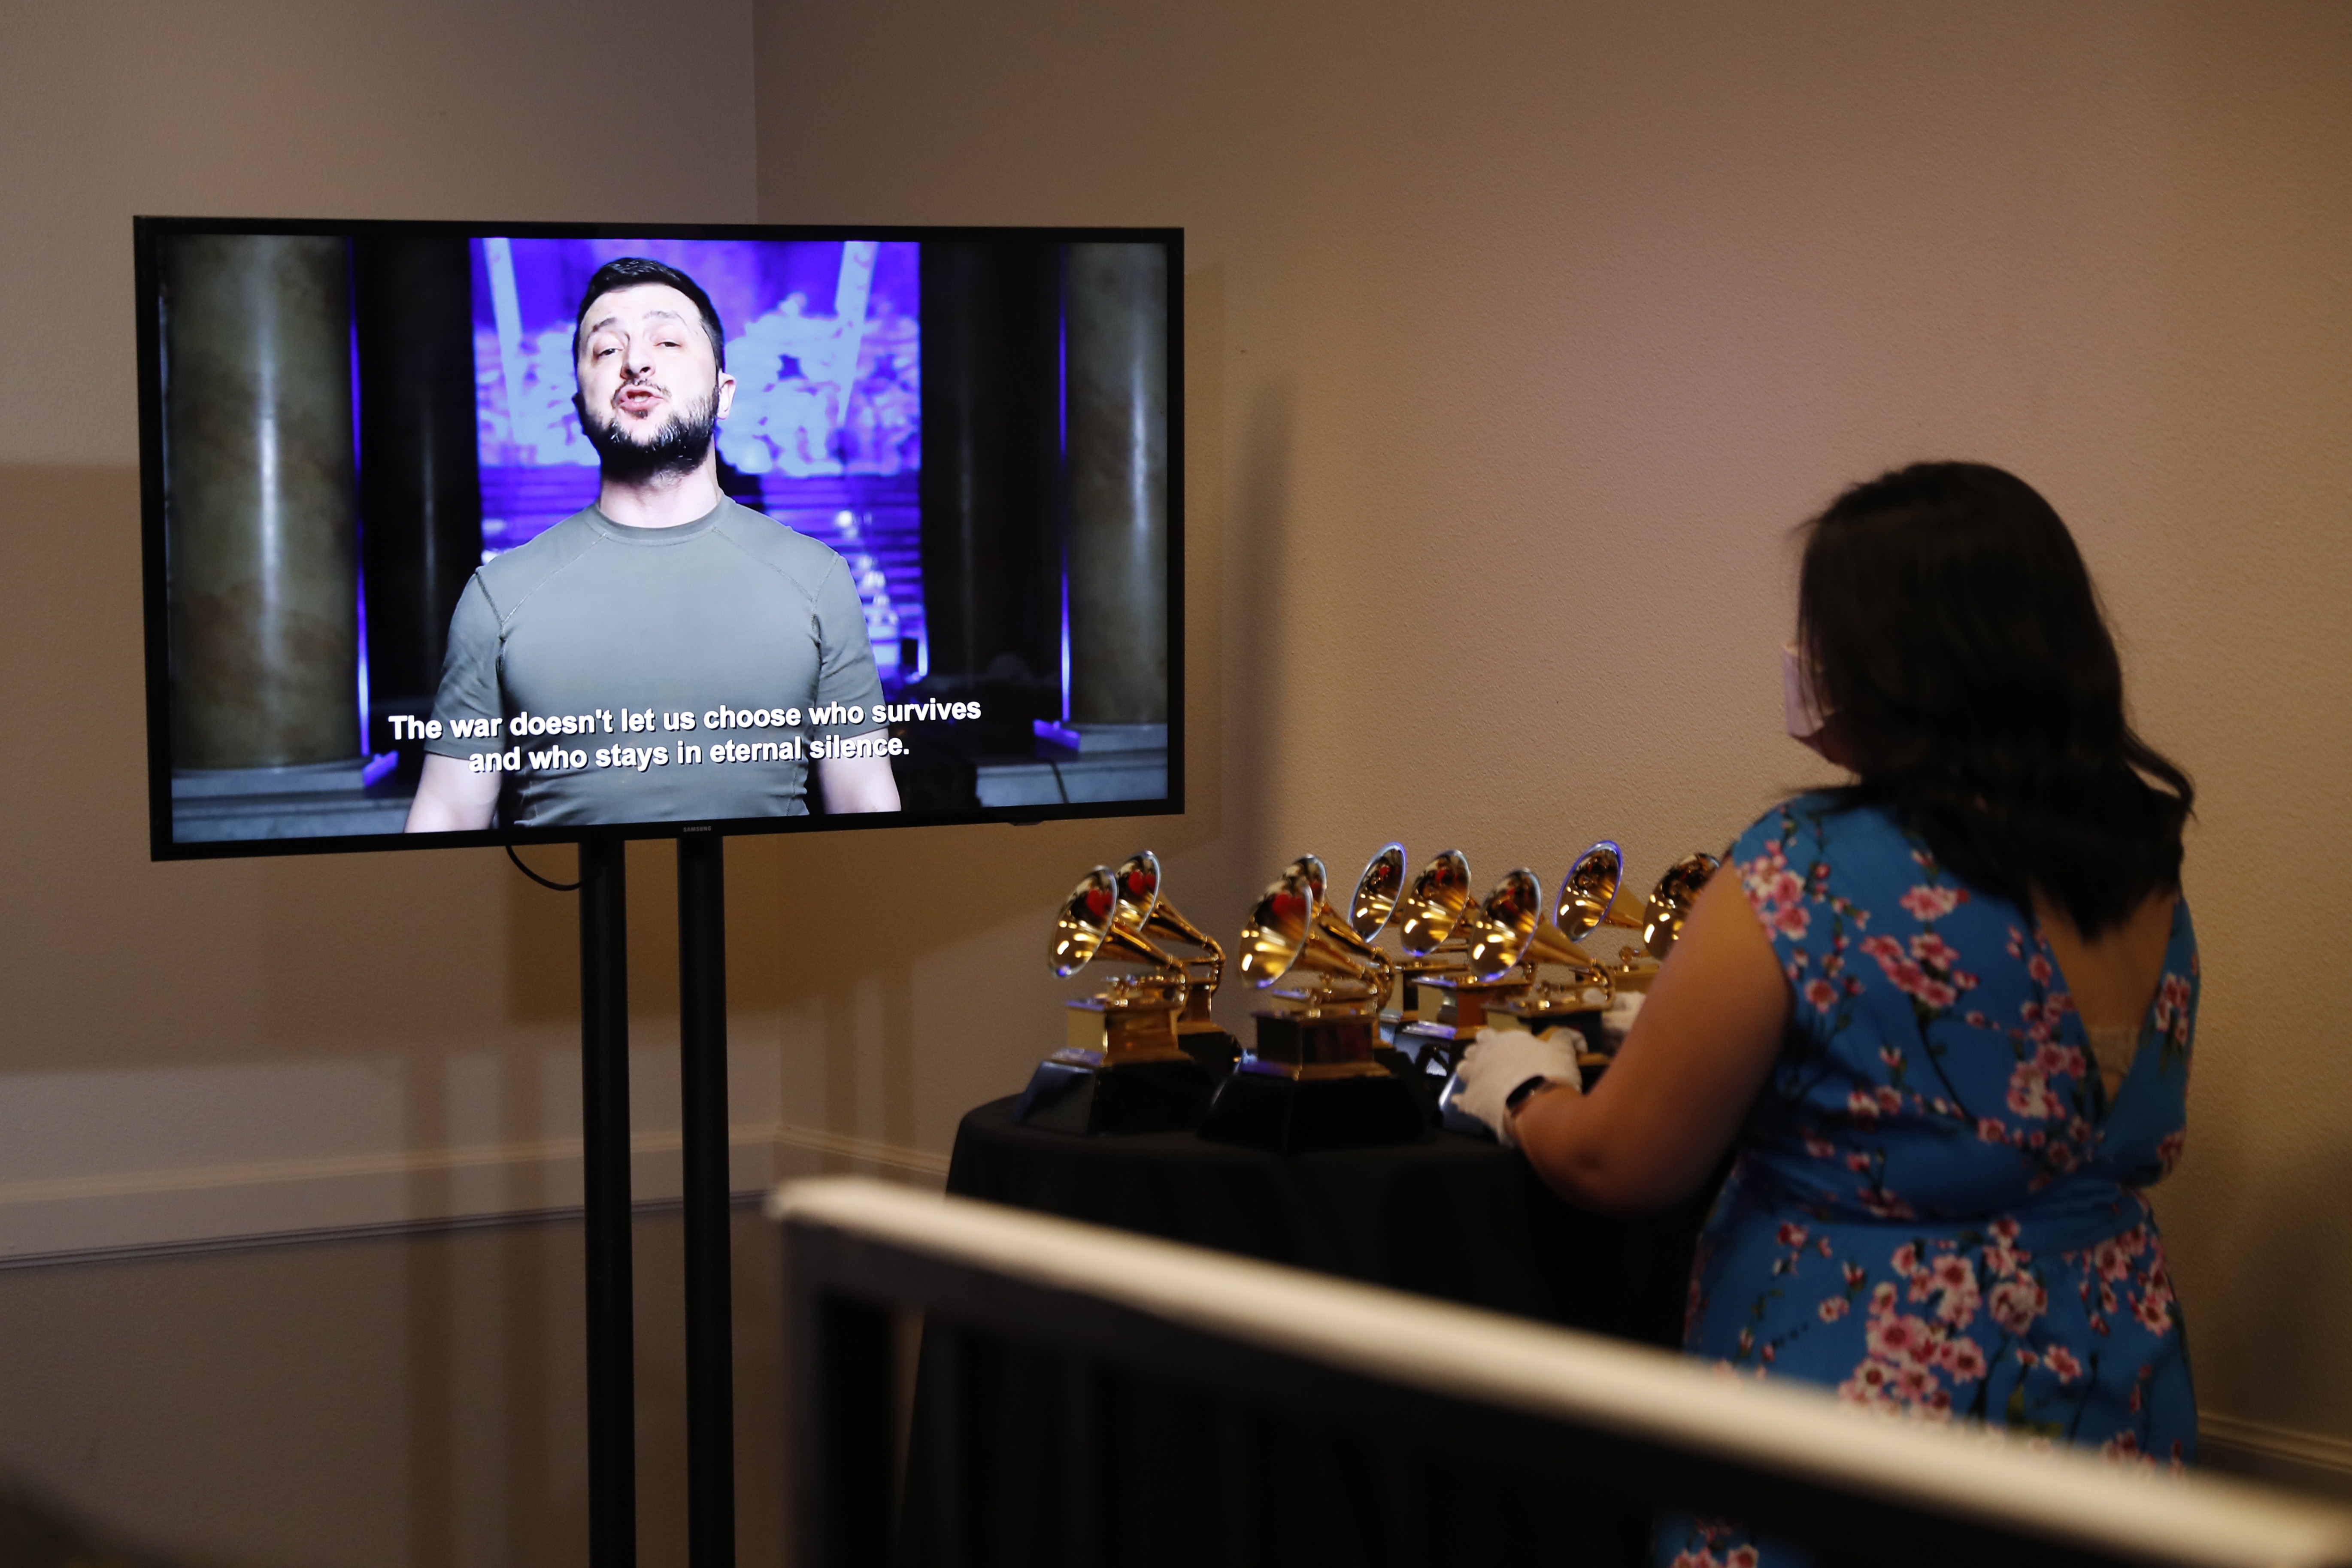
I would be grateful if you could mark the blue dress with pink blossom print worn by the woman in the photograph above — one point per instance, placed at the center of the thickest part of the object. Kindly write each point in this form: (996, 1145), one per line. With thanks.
(1935, 1205)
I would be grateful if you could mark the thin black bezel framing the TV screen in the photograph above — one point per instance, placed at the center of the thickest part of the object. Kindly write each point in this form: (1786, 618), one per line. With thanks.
(152, 232)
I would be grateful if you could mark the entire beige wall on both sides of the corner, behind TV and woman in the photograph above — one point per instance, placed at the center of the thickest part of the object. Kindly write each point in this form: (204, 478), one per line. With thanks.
(1518, 340)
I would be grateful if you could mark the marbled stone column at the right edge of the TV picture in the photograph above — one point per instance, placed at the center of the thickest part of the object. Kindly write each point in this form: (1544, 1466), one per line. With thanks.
(1118, 485)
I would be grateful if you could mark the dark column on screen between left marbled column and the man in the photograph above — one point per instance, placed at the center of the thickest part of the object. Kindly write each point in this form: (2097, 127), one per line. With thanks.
(420, 476)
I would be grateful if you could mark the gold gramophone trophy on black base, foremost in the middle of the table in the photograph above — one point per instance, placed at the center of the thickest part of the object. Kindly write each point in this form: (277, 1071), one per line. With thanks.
(1311, 1076)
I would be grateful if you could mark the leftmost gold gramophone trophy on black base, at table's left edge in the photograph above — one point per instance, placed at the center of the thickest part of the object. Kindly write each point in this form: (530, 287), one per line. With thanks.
(1123, 1068)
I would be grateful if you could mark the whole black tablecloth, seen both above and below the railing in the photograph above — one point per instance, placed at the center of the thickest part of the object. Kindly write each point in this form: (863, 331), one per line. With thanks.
(1024, 1454)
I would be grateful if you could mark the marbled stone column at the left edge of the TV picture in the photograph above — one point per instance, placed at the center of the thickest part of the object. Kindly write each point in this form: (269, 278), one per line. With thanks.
(262, 511)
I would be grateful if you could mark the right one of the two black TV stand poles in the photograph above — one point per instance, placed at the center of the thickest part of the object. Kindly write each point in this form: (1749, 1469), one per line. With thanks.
(702, 1066)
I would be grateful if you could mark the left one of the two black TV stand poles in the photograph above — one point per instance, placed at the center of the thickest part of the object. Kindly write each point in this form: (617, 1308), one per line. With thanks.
(613, 1348)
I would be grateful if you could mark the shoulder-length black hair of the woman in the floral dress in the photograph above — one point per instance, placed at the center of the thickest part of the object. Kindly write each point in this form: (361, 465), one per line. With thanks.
(1958, 643)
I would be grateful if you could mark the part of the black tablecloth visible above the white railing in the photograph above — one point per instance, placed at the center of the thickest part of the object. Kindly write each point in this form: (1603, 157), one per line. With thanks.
(1448, 1217)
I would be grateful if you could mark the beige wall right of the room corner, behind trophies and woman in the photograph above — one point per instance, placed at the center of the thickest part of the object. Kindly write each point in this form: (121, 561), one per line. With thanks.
(1523, 333)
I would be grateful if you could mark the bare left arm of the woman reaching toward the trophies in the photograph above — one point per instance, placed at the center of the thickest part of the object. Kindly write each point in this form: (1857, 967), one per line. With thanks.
(1685, 1078)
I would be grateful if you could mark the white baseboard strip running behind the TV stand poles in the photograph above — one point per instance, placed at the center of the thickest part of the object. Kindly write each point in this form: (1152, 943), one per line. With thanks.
(60, 1219)
